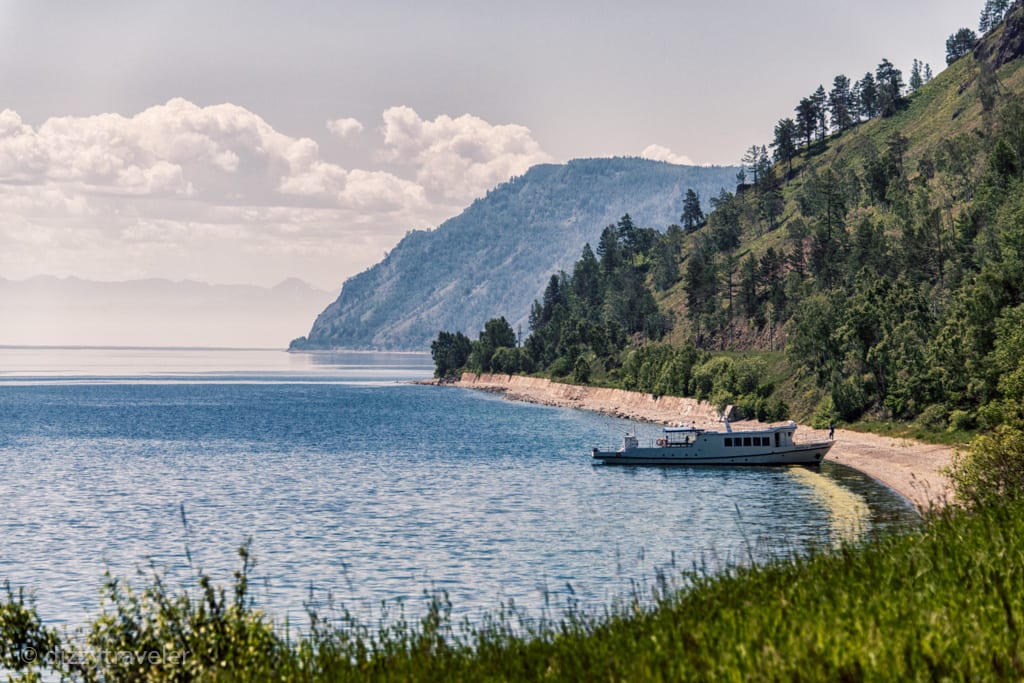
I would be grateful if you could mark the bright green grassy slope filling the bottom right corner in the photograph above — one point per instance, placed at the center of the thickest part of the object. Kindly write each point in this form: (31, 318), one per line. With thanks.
(947, 603)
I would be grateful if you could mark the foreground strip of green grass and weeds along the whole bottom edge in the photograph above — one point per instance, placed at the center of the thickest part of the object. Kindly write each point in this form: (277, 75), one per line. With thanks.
(947, 602)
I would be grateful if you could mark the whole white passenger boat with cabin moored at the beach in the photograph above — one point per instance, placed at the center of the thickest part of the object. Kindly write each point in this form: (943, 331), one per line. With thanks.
(691, 446)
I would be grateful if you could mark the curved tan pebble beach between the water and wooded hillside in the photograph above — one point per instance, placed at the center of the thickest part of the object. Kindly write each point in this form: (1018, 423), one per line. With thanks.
(911, 468)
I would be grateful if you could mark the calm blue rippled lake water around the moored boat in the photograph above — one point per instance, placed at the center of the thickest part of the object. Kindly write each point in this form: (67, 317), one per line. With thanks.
(359, 487)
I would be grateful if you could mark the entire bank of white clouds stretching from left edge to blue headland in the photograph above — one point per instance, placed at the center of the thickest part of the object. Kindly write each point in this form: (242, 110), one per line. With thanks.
(218, 194)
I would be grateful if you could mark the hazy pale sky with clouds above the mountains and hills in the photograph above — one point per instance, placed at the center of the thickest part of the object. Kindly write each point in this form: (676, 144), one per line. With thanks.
(249, 142)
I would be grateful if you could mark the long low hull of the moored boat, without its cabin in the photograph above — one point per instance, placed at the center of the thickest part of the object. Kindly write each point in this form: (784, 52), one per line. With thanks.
(803, 454)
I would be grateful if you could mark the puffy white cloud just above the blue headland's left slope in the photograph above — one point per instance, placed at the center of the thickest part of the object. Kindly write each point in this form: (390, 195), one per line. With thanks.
(462, 158)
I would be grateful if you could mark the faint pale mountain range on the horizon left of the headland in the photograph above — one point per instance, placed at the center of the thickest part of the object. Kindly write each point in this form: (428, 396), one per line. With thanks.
(69, 312)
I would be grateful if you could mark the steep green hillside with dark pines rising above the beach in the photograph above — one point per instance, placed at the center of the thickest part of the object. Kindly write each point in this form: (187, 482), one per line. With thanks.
(880, 244)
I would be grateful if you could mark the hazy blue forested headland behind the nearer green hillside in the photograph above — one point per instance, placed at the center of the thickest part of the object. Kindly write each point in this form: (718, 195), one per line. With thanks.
(498, 254)
